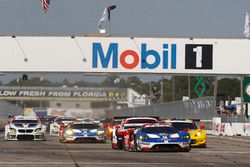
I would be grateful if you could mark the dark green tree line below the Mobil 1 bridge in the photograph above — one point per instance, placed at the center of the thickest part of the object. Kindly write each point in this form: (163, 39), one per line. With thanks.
(228, 88)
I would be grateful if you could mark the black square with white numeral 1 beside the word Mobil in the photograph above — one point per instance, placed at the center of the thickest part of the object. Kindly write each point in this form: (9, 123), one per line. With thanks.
(198, 56)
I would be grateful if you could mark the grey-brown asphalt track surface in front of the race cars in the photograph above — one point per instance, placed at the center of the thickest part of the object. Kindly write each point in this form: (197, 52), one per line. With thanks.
(220, 152)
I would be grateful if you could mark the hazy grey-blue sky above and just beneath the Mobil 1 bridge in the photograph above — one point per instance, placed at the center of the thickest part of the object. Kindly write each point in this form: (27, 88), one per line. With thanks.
(161, 18)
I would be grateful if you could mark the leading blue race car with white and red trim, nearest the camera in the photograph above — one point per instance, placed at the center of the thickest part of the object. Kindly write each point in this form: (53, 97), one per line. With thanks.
(157, 137)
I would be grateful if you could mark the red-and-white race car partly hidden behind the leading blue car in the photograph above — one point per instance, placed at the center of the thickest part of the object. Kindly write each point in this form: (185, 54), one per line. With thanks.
(117, 138)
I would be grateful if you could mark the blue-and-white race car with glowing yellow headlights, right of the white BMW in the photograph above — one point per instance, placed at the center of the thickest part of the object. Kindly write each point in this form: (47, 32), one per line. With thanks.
(83, 132)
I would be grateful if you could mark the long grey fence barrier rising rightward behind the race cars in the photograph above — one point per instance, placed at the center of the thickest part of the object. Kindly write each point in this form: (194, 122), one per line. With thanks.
(202, 108)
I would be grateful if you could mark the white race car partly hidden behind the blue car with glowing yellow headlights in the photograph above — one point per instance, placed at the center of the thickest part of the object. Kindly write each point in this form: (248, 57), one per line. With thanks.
(58, 122)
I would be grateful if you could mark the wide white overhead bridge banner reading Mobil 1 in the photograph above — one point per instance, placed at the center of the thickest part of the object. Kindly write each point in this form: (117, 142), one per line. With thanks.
(124, 55)
